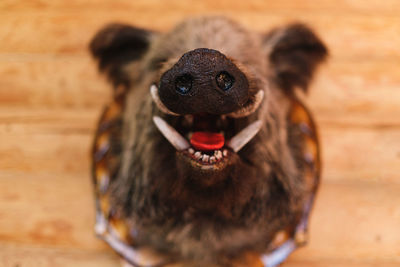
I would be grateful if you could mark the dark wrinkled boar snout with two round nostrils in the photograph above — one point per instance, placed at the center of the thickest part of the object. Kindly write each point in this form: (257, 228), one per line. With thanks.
(211, 84)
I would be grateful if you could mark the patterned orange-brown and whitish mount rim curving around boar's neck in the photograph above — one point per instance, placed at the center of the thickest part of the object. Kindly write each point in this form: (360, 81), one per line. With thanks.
(113, 229)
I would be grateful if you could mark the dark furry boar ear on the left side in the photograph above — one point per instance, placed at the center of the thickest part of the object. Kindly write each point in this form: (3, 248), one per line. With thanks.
(116, 45)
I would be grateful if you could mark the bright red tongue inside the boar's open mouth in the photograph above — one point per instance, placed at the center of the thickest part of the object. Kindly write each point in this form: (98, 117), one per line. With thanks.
(206, 141)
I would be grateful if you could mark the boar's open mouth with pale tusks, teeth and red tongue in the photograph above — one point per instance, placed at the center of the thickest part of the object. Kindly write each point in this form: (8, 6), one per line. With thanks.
(207, 140)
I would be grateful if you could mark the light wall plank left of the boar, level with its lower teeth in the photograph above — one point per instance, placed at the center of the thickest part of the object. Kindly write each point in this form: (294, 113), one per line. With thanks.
(46, 153)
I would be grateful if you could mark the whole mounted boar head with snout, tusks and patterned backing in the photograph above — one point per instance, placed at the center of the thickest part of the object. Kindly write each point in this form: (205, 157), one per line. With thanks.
(205, 155)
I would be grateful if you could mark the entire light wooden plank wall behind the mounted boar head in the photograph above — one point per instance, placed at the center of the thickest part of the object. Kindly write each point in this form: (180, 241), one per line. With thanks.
(51, 96)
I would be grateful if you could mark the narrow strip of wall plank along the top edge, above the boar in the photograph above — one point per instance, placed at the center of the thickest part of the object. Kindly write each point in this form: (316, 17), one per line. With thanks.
(350, 6)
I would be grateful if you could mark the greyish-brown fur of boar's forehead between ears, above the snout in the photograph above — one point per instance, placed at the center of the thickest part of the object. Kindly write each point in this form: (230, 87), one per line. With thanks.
(213, 32)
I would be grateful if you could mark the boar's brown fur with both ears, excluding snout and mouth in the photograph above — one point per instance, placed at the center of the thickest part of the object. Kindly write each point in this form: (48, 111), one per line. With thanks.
(260, 192)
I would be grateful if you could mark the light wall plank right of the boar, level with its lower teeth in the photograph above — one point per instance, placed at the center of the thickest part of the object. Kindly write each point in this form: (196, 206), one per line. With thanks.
(360, 154)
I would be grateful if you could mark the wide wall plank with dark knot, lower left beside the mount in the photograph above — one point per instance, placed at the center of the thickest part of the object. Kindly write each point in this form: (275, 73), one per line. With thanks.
(54, 209)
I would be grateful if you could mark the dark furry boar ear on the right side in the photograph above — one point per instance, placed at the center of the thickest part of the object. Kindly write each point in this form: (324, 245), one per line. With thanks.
(294, 53)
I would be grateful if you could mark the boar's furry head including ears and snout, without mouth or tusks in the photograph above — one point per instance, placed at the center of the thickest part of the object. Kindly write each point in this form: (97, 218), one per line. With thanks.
(212, 66)
